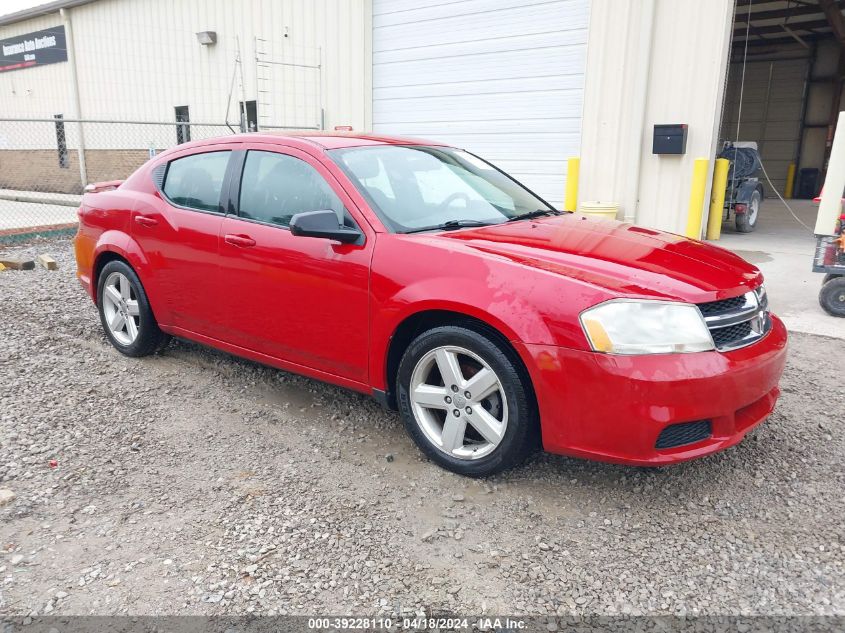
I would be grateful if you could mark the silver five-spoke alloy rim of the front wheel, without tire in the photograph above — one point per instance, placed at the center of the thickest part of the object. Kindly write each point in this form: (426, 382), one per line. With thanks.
(458, 402)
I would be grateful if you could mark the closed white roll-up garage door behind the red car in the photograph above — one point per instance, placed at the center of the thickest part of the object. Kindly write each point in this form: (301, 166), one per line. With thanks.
(501, 78)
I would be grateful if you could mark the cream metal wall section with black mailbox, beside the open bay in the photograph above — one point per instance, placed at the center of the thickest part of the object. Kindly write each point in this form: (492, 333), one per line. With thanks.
(676, 75)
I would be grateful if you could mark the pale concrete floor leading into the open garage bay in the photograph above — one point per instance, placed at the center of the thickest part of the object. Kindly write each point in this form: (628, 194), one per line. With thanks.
(783, 250)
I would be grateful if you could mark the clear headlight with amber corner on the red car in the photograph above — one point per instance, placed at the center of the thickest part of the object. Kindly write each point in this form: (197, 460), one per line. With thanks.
(624, 326)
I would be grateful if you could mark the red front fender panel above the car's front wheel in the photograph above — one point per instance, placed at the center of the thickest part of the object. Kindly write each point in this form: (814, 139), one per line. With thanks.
(410, 276)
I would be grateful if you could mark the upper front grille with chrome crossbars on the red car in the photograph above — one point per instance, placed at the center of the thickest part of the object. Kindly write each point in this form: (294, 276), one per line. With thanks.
(738, 321)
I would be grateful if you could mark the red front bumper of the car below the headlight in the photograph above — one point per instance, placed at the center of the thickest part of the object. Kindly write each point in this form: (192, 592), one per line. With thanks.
(613, 408)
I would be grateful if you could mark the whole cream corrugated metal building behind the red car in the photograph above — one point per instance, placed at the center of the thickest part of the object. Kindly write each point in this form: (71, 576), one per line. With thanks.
(524, 83)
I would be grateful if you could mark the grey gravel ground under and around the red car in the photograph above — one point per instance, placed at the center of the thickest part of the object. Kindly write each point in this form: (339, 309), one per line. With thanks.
(194, 482)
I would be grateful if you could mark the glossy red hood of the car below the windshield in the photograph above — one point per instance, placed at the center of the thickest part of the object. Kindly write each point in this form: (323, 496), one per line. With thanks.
(620, 257)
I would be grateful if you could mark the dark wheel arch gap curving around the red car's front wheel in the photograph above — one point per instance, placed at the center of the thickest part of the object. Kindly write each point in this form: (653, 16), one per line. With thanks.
(414, 324)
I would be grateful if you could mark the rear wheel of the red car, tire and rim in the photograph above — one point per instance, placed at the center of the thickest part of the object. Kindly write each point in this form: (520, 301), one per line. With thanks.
(139, 334)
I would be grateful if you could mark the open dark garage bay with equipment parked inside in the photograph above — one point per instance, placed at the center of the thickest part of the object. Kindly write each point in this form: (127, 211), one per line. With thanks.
(783, 94)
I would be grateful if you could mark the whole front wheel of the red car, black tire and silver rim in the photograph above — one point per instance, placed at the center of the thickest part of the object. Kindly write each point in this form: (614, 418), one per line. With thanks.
(505, 412)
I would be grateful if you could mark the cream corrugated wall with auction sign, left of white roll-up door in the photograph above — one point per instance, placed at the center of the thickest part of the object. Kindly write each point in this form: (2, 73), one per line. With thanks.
(138, 60)
